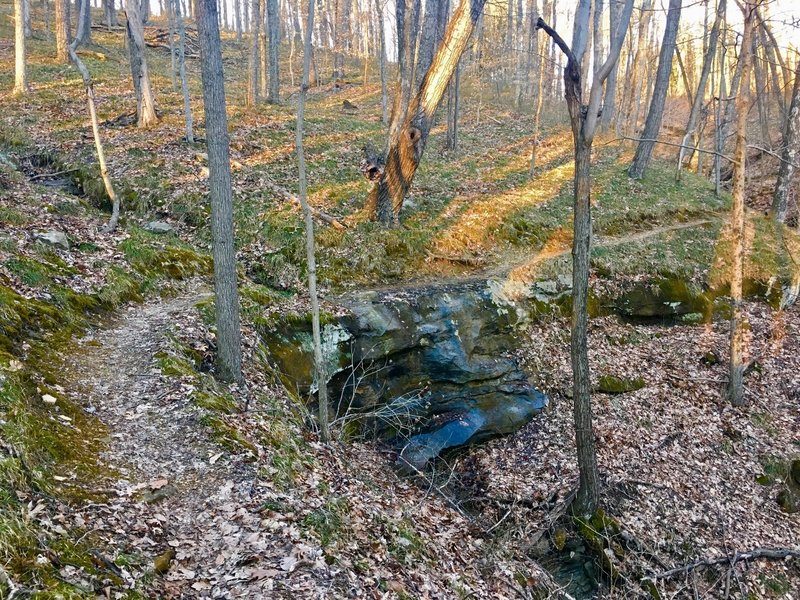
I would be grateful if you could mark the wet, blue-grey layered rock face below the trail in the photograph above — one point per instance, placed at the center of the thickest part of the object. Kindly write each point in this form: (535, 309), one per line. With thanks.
(429, 367)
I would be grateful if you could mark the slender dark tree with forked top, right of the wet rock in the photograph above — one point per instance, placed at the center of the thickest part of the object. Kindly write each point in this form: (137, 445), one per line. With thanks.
(584, 119)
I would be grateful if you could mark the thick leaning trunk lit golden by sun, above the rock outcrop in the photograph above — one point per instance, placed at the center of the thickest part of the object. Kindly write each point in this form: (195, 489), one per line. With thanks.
(406, 149)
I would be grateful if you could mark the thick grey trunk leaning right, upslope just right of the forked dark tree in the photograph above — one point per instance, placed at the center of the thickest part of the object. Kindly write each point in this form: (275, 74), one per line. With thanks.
(654, 116)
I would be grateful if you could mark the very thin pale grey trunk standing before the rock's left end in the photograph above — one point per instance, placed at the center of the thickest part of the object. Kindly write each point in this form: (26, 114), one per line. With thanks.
(319, 361)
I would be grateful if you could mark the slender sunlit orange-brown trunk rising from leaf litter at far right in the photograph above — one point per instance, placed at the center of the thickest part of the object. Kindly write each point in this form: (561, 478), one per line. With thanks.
(736, 373)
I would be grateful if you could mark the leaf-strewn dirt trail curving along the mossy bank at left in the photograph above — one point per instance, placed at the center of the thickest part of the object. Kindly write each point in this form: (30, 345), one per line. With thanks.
(177, 489)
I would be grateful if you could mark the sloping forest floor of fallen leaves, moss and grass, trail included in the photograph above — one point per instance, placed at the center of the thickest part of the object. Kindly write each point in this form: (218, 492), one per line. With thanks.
(126, 470)
